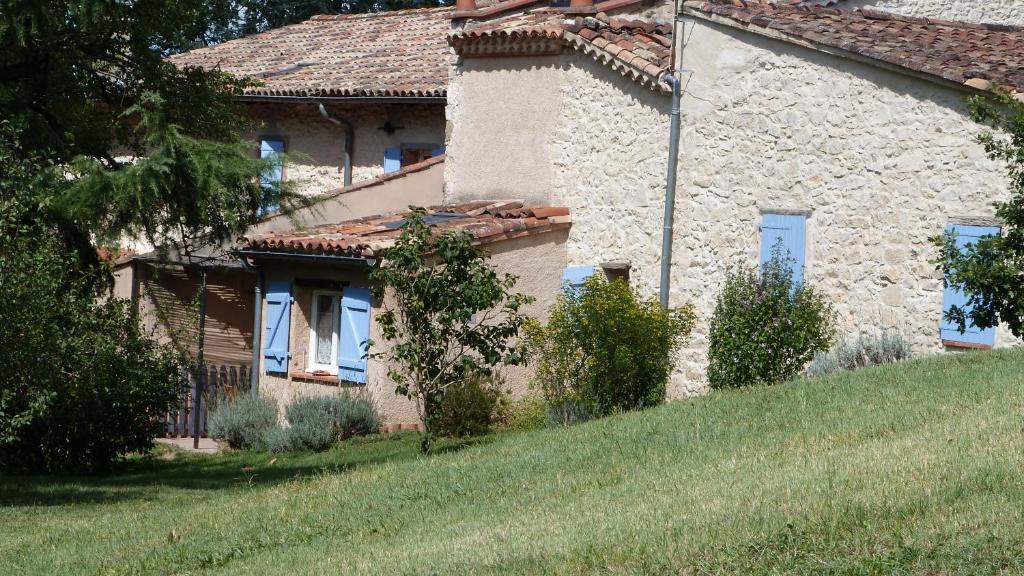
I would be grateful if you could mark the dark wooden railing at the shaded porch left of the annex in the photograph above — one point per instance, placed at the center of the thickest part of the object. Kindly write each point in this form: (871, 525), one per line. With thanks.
(219, 385)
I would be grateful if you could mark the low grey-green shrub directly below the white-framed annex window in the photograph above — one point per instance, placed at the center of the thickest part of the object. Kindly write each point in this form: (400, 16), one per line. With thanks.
(317, 423)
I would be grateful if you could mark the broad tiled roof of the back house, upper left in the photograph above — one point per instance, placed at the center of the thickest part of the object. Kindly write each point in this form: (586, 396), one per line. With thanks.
(397, 54)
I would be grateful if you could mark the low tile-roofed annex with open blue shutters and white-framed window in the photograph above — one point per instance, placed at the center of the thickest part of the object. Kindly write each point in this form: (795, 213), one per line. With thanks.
(319, 312)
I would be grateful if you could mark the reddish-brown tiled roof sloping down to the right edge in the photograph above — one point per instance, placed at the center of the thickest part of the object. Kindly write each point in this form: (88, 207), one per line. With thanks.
(965, 54)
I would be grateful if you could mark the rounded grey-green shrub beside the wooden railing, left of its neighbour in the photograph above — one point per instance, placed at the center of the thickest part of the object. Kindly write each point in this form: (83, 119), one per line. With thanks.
(244, 422)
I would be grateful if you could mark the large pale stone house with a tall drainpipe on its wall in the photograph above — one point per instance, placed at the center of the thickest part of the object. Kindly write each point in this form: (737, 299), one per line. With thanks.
(843, 133)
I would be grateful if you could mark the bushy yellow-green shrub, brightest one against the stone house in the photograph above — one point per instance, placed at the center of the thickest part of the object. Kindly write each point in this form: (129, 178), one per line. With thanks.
(607, 349)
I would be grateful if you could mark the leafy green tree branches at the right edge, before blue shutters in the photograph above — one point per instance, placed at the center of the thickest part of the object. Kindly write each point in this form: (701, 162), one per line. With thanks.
(992, 271)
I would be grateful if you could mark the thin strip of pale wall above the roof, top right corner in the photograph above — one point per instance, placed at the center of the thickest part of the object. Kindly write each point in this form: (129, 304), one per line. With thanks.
(991, 12)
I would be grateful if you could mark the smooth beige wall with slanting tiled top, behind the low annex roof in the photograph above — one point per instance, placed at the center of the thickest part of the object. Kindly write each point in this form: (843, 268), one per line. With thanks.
(378, 196)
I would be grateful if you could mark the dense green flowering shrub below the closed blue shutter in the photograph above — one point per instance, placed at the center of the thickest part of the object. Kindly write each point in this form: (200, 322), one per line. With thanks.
(766, 328)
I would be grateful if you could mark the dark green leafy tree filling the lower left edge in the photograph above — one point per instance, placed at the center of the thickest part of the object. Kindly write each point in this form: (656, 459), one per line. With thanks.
(81, 383)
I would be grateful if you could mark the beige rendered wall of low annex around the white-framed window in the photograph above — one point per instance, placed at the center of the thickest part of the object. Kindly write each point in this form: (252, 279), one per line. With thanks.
(538, 261)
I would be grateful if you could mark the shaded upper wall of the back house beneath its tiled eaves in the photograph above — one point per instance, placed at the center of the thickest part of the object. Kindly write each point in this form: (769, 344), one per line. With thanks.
(317, 146)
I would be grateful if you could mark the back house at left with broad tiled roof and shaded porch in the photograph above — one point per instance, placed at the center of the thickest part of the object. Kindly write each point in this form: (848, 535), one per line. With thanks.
(357, 104)
